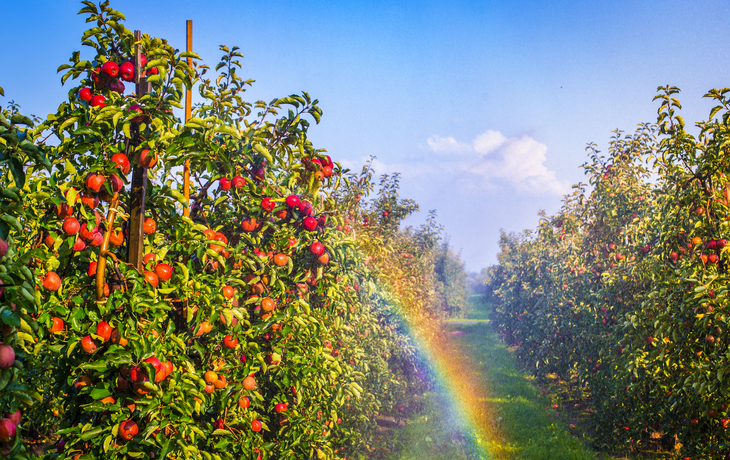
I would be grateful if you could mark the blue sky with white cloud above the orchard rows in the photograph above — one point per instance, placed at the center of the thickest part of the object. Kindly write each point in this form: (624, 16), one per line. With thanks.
(484, 107)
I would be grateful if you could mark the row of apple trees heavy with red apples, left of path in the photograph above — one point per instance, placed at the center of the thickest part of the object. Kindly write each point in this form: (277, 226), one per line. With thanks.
(249, 311)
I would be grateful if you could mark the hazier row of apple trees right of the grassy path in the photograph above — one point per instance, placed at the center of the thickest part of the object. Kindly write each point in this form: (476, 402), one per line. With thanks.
(624, 291)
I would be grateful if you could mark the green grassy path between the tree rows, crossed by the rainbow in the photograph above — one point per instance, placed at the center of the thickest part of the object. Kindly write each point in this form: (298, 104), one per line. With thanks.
(522, 426)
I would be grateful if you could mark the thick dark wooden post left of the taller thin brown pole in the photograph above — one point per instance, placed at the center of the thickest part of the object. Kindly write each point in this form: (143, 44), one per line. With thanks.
(138, 194)
